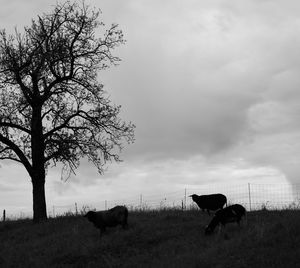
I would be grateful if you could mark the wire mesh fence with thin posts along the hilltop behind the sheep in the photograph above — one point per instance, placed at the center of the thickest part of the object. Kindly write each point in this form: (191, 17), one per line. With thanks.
(253, 196)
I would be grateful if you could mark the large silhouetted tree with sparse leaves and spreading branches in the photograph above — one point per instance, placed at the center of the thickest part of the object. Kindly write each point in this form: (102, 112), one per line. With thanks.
(53, 109)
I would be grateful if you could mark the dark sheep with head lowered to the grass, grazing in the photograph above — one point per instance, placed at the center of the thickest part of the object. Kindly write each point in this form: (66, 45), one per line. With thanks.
(229, 214)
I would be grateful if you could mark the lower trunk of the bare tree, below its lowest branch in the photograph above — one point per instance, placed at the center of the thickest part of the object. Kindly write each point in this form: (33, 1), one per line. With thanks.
(39, 200)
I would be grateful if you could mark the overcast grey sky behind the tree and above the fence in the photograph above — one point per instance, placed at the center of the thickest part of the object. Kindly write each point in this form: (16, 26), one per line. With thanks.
(212, 87)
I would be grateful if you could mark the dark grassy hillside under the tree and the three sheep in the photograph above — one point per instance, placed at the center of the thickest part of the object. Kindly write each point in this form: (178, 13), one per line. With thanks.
(169, 238)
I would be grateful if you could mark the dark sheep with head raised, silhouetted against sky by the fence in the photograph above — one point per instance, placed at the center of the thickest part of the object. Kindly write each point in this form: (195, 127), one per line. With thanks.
(210, 202)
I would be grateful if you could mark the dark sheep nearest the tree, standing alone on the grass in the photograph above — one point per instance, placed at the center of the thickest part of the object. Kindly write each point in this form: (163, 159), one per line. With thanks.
(109, 218)
